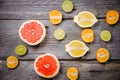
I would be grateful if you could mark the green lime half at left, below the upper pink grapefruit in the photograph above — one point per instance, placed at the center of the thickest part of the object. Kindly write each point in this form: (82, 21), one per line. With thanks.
(20, 50)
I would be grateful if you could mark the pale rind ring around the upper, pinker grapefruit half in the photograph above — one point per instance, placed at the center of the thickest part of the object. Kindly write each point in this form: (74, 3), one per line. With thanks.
(42, 36)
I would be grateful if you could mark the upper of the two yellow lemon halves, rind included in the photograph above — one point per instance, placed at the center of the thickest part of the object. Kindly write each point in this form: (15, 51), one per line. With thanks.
(85, 19)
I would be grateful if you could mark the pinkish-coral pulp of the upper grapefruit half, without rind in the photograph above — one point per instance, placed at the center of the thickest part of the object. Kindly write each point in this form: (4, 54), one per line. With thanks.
(32, 32)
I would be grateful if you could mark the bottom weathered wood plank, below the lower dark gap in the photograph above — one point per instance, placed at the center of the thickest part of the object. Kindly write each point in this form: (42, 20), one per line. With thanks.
(87, 71)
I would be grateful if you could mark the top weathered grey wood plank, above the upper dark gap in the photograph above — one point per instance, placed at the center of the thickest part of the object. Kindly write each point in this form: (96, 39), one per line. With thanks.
(39, 9)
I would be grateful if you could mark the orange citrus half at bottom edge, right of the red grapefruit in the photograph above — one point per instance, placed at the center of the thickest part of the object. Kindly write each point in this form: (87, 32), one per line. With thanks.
(72, 73)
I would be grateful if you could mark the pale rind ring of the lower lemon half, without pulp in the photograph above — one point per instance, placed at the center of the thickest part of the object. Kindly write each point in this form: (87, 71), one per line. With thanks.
(67, 49)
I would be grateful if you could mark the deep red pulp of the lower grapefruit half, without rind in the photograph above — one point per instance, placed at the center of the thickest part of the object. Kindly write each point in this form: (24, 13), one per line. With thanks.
(46, 65)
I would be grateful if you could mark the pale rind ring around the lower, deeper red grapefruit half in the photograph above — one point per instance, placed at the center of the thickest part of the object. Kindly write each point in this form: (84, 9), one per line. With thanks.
(42, 56)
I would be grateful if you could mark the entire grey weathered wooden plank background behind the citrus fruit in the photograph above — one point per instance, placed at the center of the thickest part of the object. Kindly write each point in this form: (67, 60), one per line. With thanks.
(14, 12)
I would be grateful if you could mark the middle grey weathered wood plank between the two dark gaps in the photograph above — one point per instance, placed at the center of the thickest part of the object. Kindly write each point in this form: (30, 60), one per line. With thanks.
(9, 38)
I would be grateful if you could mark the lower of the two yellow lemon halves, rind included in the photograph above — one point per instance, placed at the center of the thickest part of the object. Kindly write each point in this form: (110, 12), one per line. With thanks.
(76, 48)
